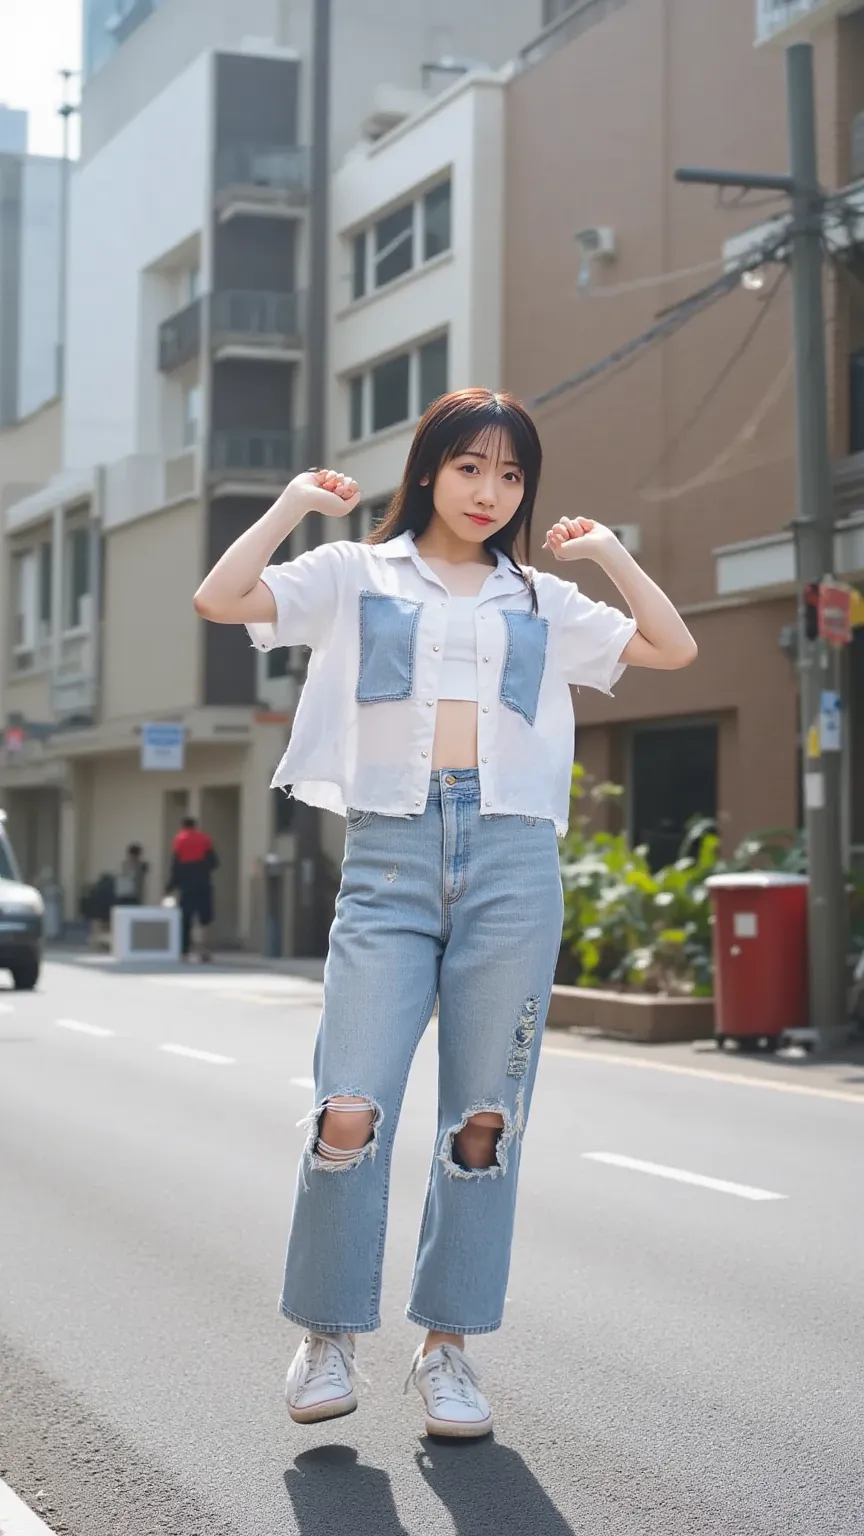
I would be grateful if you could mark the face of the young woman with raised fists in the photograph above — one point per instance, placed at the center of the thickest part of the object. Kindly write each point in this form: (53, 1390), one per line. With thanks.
(479, 492)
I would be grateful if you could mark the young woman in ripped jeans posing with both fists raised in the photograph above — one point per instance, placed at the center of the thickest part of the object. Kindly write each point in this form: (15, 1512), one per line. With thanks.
(437, 715)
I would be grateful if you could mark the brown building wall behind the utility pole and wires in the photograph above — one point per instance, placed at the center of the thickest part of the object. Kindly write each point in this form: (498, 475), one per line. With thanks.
(606, 104)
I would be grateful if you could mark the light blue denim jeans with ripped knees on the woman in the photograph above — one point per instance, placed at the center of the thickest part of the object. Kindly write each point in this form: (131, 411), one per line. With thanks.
(467, 909)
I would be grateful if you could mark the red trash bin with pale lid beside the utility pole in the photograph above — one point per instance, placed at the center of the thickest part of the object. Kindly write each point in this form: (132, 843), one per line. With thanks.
(760, 947)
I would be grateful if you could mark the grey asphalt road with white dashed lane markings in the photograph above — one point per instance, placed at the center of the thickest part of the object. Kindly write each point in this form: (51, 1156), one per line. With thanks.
(679, 1359)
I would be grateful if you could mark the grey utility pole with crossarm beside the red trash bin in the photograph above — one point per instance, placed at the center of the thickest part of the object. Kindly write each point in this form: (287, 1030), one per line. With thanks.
(819, 663)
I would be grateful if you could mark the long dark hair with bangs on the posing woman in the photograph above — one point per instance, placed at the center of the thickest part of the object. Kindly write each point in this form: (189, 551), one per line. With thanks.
(453, 426)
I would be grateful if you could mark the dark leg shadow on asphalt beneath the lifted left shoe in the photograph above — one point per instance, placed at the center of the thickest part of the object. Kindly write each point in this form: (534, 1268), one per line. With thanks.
(333, 1494)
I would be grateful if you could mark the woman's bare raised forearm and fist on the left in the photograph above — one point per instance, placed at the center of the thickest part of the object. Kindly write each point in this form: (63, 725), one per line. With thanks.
(234, 592)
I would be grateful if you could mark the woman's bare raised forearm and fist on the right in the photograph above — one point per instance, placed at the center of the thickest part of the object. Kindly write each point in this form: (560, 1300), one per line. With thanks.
(662, 641)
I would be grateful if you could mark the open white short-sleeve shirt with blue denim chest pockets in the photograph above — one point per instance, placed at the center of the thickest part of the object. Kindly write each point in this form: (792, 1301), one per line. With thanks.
(376, 620)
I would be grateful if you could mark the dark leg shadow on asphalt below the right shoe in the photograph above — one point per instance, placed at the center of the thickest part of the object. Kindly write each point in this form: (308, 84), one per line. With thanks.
(488, 1489)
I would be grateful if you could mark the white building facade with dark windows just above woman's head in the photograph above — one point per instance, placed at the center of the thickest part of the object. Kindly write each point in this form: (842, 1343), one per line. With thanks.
(417, 271)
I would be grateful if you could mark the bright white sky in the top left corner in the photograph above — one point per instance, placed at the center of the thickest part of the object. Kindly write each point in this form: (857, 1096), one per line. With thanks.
(38, 39)
